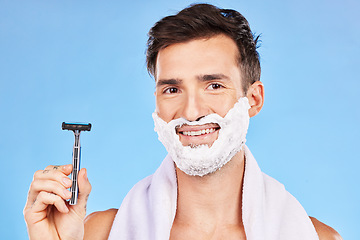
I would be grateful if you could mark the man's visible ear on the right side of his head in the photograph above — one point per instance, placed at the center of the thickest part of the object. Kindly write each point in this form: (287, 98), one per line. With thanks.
(255, 94)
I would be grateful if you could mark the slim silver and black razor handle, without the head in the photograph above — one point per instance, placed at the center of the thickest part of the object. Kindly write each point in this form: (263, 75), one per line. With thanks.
(76, 167)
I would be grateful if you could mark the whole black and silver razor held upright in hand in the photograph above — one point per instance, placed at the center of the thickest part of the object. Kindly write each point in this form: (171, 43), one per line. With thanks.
(76, 128)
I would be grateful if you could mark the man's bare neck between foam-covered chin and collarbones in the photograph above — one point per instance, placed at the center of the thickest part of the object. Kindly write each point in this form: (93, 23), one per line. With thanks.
(213, 200)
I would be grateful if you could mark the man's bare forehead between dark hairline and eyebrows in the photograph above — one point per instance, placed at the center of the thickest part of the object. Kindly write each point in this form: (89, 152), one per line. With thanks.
(217, 54)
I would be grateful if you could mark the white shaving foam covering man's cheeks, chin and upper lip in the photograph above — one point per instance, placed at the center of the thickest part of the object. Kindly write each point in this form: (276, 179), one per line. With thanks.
(201, 160)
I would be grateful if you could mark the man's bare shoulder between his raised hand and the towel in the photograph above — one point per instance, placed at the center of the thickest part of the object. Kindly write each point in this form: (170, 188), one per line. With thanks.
(98, 224)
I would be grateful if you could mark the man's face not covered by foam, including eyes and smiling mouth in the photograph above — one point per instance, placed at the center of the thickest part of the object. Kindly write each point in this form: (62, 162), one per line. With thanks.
(194, 79)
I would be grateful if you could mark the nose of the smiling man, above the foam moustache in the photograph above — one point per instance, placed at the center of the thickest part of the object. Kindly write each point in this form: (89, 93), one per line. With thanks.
(194, 108)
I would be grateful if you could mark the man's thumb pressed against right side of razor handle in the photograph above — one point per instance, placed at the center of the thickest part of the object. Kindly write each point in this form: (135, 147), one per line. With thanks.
(84, 192)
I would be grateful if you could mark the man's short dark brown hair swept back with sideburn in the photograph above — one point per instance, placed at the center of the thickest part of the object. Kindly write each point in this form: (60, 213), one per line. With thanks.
(201, 21)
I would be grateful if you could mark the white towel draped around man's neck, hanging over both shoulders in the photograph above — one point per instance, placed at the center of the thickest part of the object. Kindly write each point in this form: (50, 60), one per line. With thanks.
(269, 211)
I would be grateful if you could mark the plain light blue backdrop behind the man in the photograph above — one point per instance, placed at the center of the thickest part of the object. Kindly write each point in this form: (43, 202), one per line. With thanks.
(84, 61)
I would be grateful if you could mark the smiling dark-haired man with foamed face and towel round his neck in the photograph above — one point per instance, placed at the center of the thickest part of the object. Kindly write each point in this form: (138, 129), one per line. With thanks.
(207, 74)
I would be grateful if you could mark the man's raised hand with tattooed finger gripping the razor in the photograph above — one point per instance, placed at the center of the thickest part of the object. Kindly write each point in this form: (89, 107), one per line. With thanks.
(47, 214)
